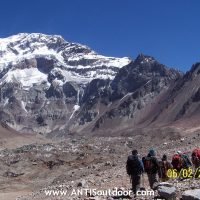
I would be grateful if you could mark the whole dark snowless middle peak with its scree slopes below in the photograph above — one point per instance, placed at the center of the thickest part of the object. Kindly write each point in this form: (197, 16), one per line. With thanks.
(125, 102)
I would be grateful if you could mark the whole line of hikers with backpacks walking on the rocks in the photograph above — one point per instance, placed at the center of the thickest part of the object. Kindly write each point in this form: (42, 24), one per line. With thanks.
(155, 168)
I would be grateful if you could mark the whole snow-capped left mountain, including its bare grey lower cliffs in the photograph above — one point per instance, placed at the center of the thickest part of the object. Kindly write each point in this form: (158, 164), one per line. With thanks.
(42, 78)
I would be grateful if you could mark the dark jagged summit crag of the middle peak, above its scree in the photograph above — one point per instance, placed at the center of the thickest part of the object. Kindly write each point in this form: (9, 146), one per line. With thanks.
(145, 70)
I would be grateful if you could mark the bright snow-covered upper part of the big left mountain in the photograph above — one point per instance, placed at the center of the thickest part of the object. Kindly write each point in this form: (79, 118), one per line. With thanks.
(72, 61)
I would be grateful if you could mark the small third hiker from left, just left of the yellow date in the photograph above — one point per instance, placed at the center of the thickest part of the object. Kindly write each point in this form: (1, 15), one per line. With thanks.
(165, 165)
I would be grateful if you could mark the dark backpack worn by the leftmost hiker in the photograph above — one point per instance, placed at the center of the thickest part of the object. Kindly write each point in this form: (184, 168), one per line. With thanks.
(134, 165)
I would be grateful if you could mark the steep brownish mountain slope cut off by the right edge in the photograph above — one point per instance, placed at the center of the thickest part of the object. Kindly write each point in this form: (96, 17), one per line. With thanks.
(181, 106)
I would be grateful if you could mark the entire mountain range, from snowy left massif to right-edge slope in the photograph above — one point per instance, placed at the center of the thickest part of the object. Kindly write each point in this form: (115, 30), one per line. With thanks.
(54, 87)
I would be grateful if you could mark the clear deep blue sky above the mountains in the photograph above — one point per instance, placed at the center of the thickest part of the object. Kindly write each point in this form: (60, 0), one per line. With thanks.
(169, 30)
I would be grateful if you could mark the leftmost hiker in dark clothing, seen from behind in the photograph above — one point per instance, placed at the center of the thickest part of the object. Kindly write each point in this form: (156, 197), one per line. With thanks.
(135, 168)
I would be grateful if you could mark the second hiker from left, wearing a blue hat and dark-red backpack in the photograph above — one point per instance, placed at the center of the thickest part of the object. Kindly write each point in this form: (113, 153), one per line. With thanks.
(151, 167)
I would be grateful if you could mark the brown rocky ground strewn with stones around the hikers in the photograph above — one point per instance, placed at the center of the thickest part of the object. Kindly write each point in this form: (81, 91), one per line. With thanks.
(28, 172)
